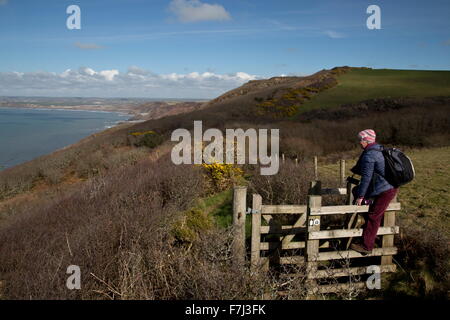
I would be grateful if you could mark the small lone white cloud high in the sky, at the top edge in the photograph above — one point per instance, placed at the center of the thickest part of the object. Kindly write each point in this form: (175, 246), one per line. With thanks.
(194, 10)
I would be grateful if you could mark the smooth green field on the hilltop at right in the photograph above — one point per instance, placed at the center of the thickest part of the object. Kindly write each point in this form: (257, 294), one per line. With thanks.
(363, 84)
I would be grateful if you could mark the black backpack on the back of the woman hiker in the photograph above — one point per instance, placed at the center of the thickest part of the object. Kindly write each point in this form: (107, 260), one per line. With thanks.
(399, 169)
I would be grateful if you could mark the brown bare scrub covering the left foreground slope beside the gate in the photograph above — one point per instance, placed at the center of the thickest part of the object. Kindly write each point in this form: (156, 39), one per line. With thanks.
(119, 229)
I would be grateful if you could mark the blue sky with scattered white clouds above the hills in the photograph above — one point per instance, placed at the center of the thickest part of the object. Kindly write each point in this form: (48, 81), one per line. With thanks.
(202, 48)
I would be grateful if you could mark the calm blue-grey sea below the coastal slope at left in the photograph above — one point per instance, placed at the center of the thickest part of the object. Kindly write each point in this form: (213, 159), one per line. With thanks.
(29, 133)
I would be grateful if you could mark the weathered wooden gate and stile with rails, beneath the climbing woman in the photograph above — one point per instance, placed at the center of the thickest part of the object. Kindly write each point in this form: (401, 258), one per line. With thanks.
(303, 241)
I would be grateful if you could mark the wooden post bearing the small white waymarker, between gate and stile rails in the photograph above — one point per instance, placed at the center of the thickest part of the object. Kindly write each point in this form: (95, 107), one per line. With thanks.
(312, 224)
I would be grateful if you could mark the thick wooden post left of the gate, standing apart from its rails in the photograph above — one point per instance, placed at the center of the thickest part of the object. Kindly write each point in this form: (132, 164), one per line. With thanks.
(239, 204)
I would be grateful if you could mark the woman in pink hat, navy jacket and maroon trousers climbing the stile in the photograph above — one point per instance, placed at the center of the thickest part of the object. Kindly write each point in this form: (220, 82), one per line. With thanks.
(373, 189)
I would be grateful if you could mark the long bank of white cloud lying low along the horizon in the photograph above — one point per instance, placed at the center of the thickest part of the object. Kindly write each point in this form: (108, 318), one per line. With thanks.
(135, 82)
